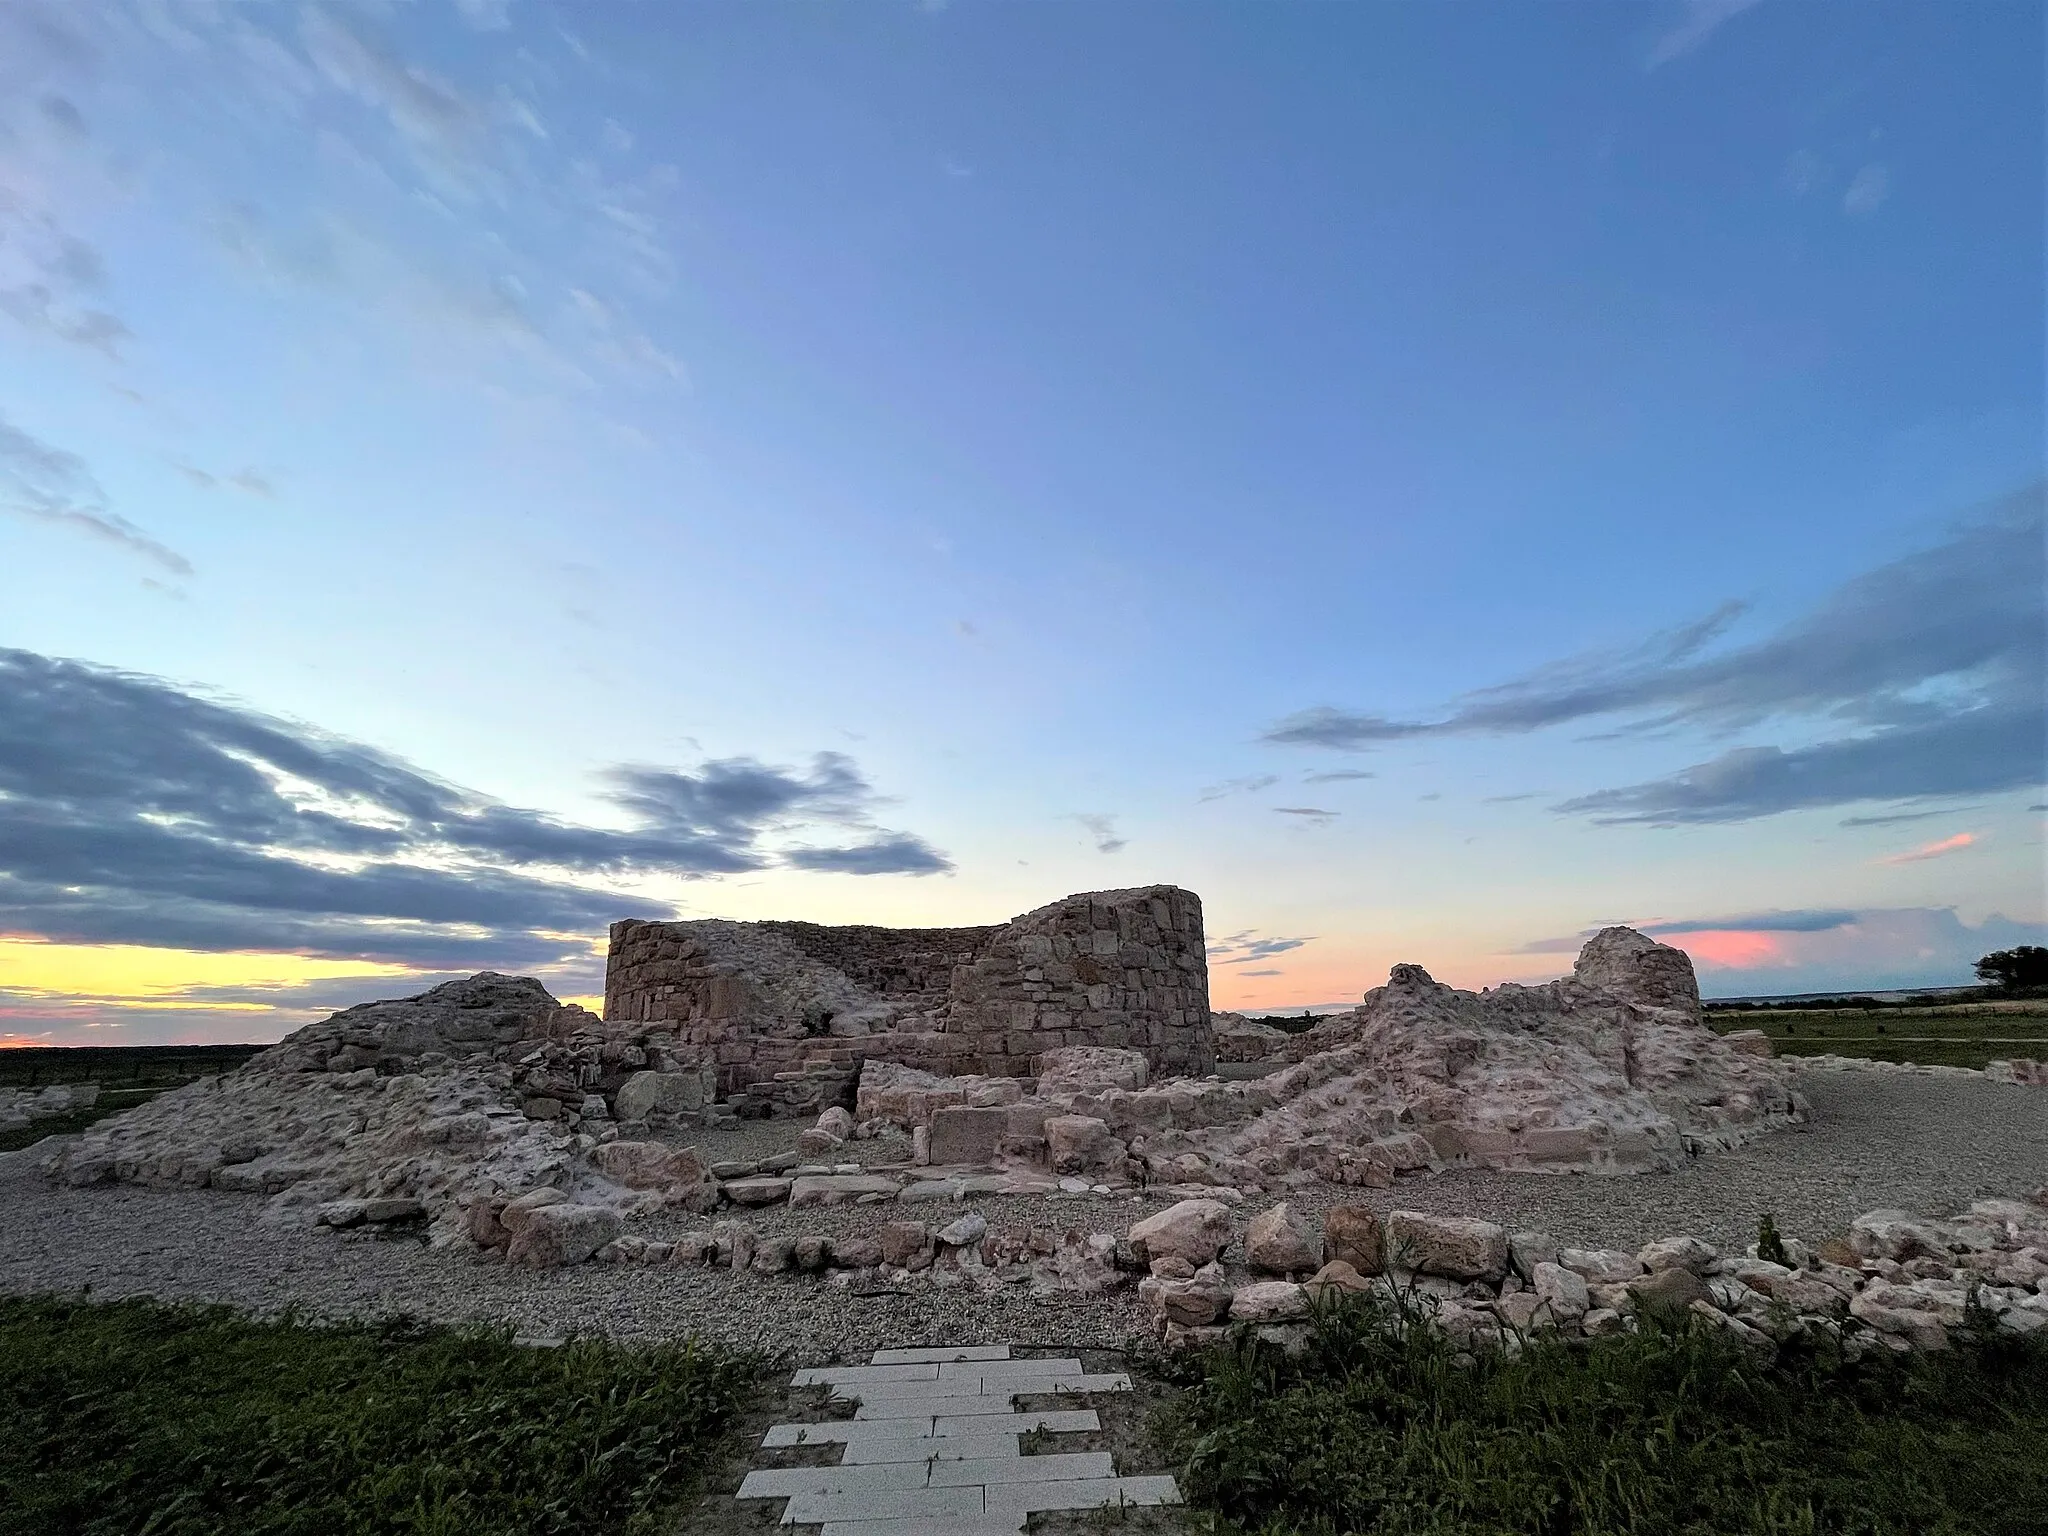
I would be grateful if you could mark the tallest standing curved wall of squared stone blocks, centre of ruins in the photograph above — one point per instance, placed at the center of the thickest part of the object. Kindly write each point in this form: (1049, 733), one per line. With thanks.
(790, 1011)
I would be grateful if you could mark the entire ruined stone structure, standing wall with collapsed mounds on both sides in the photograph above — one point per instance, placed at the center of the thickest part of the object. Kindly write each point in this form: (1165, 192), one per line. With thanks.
(1064, 1054)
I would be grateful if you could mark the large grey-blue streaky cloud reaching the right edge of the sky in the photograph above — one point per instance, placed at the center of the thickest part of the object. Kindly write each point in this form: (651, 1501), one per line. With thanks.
(1922, 677)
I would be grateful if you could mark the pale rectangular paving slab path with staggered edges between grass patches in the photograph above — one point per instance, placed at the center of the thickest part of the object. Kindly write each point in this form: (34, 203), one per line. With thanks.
(933, 1449)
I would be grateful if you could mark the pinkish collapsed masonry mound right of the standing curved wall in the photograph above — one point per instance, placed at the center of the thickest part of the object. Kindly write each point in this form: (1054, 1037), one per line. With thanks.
(1605, 1072)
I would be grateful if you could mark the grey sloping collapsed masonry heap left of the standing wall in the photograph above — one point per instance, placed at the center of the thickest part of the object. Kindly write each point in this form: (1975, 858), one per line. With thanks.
(423, 1107)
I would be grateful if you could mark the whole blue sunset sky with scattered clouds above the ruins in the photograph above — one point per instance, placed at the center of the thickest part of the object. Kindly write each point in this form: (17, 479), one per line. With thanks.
(1433, 480)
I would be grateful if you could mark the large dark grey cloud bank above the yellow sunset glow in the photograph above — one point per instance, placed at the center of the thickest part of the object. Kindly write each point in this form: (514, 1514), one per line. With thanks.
(134, 812)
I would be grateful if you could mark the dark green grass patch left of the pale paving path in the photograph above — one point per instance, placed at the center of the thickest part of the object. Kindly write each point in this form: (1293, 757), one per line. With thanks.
(155, 1420)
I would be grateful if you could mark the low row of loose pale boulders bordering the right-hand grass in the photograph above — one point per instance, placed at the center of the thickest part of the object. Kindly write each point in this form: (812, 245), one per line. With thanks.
(1893, 1281)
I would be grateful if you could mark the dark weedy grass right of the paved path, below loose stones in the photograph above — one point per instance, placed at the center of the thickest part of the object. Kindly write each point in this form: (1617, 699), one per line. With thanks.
(1668, 1433)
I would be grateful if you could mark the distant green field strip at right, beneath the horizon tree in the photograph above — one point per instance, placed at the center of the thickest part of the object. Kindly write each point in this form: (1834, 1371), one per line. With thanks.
(1943, 1035)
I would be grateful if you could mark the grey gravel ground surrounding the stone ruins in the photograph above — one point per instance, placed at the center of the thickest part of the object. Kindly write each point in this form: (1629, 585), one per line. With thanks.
(1922, 1144)
